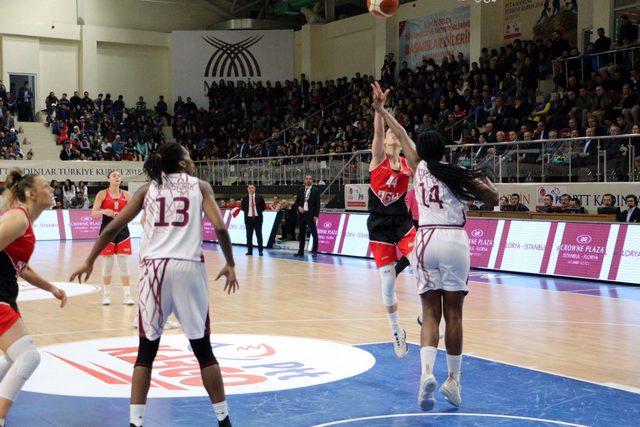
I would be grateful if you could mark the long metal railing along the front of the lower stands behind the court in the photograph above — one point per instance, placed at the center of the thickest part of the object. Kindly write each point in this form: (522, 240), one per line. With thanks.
(617, 158)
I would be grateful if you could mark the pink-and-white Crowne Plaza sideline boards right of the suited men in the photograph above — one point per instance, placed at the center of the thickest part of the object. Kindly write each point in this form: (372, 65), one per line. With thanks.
(572, 249)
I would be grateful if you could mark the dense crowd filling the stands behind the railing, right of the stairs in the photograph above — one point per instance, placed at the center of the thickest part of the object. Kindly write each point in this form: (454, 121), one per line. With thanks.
(492, 100)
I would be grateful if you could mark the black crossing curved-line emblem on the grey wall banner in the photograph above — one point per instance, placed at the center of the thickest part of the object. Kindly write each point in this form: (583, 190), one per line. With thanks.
(232, 59)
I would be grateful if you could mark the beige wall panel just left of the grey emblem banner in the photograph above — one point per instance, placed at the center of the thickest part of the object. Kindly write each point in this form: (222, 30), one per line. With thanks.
(132, 71)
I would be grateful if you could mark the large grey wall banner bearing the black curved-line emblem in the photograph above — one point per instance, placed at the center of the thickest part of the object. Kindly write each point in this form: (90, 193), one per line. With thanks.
(201, 58)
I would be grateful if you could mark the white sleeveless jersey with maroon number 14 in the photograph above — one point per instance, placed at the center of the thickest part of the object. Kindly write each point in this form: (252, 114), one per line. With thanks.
(437, 205)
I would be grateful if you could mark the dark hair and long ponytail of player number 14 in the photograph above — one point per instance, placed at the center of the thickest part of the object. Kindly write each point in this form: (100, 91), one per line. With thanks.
(461, 181)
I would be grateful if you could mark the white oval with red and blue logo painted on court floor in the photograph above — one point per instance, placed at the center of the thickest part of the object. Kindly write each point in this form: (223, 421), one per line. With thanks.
(249, 364)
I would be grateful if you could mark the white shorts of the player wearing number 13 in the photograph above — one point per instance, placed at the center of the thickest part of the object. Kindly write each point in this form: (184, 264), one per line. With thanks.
(173, 286)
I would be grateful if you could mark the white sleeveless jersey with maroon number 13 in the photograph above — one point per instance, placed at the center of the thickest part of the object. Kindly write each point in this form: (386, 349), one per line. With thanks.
(172, 219)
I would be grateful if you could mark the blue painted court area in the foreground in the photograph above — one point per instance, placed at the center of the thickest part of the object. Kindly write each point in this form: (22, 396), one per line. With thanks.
(385, 395)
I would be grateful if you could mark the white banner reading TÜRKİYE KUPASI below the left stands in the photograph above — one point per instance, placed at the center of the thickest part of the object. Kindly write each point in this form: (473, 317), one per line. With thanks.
(75, 170)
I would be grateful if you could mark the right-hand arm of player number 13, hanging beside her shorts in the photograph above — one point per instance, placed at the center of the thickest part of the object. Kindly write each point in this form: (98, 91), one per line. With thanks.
(211, 211)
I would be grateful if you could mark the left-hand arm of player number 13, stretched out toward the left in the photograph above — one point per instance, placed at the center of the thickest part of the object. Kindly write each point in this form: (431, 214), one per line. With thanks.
(132, 209)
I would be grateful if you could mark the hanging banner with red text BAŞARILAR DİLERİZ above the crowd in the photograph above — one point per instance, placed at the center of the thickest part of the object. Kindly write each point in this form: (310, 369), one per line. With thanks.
(435, 36)
